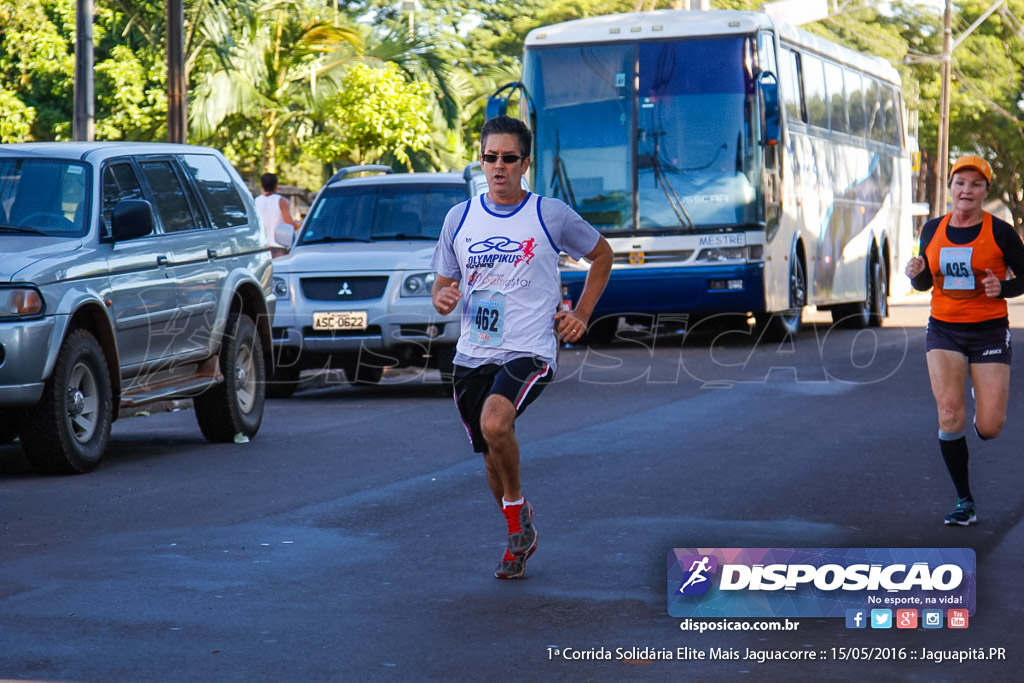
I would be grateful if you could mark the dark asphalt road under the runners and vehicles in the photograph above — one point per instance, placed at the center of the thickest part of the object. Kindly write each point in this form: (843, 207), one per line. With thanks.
(355, 538)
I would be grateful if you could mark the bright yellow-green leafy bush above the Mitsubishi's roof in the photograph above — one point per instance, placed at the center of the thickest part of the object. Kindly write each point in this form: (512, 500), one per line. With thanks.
(374, 113)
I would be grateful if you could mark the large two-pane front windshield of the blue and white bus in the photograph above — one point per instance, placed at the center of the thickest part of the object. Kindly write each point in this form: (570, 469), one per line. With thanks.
(670, 124)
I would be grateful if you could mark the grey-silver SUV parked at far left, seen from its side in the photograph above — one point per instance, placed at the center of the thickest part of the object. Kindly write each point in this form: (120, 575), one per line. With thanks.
(130, 274)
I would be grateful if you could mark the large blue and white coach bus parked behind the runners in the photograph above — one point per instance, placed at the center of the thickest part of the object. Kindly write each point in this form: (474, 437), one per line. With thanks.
(736, 164)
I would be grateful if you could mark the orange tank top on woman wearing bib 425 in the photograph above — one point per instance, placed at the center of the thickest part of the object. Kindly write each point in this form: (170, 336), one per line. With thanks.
(958, 295)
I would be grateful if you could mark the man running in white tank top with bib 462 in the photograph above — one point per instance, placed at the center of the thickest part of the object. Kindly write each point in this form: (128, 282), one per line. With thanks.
(502, 249)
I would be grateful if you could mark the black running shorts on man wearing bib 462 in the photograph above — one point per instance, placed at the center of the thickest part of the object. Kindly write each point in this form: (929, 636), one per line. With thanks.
(521, 381)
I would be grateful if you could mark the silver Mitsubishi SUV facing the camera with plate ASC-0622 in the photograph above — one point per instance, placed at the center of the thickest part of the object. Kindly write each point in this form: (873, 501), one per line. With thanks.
(355, 292)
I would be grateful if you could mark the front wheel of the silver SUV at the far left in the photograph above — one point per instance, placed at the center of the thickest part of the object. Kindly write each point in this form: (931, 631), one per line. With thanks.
(69, 430)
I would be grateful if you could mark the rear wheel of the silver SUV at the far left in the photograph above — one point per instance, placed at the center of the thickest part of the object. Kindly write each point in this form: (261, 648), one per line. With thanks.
(236, 406)
